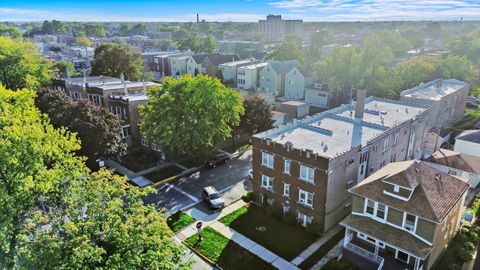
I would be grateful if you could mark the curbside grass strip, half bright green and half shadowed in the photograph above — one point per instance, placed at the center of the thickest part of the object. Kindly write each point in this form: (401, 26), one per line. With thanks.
(225, 253)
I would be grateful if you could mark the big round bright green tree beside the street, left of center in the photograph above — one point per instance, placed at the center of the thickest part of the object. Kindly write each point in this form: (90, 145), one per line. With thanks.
(190, 115)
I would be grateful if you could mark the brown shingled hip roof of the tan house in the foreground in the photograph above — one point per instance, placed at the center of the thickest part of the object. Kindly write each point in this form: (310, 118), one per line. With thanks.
(434, 192)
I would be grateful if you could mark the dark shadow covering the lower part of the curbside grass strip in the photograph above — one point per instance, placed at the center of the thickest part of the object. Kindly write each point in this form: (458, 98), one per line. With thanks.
(234, 257)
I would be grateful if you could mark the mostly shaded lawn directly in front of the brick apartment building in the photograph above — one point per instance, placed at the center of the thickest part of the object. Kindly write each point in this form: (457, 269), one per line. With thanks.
(282, 239)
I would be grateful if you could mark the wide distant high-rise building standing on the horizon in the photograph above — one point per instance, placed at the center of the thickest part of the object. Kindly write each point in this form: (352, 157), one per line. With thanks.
(276, 29)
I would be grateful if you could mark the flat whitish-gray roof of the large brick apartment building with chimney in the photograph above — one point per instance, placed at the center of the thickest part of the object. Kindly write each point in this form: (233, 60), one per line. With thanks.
(335, 131)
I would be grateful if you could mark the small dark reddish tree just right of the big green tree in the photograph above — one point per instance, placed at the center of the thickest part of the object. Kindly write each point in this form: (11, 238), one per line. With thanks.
(257, 117)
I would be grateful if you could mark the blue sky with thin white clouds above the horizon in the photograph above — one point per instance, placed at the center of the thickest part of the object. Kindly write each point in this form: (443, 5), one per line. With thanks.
(239, 10)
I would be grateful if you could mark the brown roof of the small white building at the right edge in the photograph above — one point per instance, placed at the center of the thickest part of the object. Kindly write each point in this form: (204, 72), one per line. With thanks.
(456, 160)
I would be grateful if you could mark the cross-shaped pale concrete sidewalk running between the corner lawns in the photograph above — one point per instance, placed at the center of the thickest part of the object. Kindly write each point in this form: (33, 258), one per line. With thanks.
(212, 221)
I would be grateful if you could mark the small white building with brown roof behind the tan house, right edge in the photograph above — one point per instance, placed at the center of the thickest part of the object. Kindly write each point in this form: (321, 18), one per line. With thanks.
(463, 166)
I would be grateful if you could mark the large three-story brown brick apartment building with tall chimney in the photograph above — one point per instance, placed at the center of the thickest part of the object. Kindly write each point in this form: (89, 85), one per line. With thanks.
(307, 167)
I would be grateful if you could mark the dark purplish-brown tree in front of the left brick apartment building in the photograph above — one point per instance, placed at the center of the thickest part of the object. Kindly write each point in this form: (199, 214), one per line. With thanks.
(98, 130)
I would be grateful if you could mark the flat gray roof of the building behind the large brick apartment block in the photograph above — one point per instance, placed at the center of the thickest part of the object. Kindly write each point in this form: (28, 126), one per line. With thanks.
(434, 90)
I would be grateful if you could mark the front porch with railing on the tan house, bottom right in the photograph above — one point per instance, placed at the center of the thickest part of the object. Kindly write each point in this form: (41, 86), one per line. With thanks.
(372, 254)
